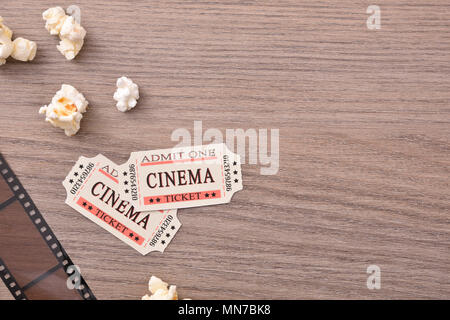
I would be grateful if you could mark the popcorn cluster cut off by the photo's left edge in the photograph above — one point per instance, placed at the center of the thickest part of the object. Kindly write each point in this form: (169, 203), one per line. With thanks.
(20, 49)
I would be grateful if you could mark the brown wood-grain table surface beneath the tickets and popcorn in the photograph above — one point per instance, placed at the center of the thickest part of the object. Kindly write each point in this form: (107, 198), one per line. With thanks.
(364, 120)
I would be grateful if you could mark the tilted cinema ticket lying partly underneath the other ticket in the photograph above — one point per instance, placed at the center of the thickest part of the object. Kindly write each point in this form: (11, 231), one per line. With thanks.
(93, 190)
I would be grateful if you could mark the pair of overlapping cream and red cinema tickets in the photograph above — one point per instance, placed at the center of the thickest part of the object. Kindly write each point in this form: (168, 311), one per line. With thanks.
(138, 201)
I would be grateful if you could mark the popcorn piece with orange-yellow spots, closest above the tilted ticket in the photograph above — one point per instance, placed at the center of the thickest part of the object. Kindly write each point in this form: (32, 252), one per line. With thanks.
(66, 109)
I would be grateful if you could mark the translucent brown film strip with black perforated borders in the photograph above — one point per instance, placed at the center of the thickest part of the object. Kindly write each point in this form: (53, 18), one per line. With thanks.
(33, 264)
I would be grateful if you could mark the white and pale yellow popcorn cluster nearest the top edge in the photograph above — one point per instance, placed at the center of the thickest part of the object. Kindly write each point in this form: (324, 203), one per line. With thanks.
(70, 32)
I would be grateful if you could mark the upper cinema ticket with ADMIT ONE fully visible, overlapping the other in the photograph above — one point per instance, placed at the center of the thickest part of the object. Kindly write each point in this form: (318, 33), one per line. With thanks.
(181, 177)
